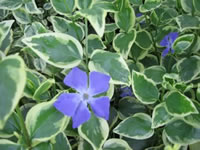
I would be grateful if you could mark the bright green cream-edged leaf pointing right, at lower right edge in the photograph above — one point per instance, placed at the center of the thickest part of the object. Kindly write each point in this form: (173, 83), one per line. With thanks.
(179, 105)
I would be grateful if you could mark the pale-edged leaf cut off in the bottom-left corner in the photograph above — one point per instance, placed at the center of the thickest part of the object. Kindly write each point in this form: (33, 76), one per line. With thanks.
(8, 145)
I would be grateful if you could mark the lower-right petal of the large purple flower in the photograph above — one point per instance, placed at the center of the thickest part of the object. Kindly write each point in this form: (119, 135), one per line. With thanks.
(100, 106)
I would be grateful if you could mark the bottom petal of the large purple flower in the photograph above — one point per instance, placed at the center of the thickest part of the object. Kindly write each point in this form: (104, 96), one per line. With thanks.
(81, 116)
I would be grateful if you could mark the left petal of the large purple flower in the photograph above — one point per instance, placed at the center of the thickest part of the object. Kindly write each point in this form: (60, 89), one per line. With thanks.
(67, 103)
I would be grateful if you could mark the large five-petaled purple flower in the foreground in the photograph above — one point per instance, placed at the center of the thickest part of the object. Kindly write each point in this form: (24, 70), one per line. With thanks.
(75, 104)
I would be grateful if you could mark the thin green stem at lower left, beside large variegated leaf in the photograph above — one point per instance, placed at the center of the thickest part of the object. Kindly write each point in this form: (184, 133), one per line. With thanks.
(23, 127)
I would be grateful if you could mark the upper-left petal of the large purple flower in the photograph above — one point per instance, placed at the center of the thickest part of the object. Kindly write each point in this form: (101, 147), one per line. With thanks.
(77, 79)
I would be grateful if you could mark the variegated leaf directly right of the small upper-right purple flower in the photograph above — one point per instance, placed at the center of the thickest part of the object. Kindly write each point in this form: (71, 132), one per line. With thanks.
(183, 43)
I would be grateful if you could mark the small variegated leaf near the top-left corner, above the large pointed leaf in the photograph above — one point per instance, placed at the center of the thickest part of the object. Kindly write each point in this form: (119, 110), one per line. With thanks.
(22, 16)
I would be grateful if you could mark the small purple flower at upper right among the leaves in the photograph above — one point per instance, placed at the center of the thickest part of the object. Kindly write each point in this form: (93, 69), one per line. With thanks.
(167, 42)
